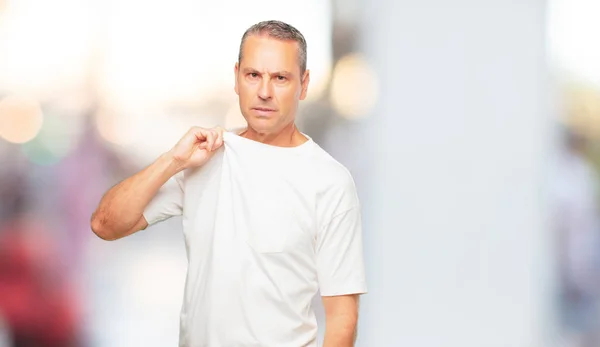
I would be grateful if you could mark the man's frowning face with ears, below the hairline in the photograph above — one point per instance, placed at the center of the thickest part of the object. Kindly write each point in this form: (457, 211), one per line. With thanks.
(269, 83)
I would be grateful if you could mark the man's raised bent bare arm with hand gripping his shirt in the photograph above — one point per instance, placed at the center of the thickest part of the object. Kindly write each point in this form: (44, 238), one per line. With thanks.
(120, 212)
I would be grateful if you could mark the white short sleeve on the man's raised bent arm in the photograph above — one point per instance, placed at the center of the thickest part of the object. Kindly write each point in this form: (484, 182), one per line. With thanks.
(167, 202)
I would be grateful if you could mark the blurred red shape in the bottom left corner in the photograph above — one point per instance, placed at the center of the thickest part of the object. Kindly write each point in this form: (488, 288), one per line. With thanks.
(37, 298)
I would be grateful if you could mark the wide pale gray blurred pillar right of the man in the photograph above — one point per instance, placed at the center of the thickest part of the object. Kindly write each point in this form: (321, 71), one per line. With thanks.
(453, 173)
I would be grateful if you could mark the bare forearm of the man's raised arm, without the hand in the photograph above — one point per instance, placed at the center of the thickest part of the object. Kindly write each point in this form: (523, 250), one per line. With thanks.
(123, 205)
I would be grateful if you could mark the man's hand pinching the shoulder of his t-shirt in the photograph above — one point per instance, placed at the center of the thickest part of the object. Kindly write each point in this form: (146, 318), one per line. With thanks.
(197, 146)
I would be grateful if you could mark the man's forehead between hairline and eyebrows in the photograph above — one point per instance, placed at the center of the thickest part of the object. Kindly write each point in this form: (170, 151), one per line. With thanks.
(266, 53)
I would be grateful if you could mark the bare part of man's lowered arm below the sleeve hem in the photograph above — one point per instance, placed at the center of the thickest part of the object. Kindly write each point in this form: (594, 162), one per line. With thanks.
(341, 317)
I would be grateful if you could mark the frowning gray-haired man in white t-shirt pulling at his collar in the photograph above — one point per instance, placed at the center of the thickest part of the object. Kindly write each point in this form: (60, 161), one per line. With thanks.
(269, 217)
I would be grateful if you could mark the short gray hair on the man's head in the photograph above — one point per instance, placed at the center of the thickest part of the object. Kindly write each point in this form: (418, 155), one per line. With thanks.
(280, 31)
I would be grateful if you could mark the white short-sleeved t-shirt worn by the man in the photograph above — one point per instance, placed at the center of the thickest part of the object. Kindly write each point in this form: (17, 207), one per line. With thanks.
(266, 228)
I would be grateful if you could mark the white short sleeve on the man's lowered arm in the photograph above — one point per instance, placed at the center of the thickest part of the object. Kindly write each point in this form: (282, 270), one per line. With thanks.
(340, 260)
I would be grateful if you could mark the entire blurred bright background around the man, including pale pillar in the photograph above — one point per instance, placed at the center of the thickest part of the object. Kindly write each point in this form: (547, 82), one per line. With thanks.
(472, 129)
